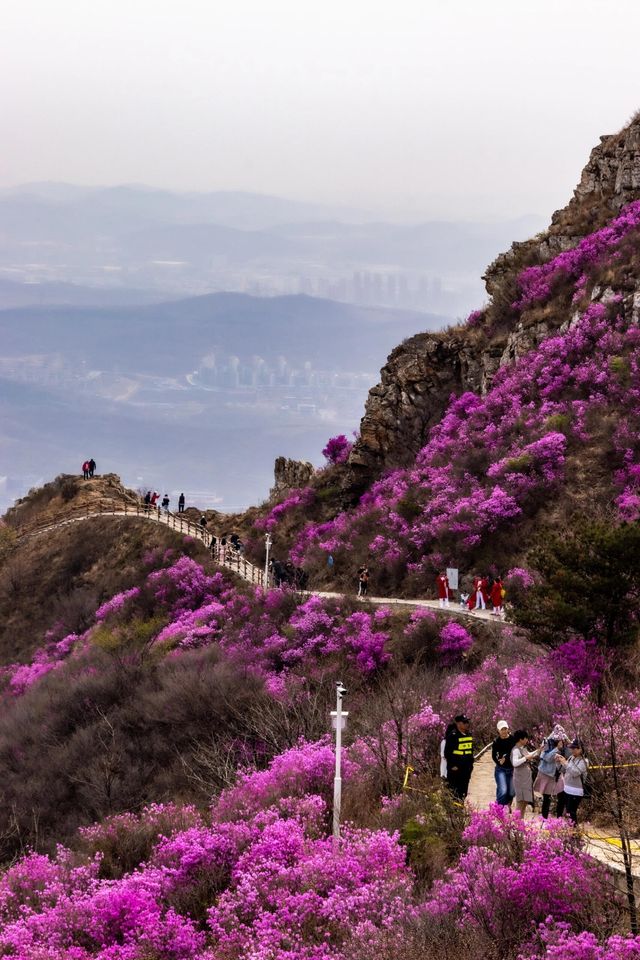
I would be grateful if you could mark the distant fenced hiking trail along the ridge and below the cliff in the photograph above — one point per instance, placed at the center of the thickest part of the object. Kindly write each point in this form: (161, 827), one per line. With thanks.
(231, 559)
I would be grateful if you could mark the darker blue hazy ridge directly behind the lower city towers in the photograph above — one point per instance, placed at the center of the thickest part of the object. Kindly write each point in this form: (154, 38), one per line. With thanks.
(170, 336)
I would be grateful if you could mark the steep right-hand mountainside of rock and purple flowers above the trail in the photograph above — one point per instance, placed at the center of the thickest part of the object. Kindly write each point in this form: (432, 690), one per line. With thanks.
(517, 422)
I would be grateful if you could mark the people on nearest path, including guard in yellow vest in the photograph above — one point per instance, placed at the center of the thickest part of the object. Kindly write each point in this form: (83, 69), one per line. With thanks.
(555, 769)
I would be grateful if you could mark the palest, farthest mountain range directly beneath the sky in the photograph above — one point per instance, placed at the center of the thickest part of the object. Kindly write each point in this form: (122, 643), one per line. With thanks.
(178, 244)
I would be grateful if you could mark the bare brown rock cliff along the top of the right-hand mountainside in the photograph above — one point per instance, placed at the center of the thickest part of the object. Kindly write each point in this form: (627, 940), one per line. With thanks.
(423, 372)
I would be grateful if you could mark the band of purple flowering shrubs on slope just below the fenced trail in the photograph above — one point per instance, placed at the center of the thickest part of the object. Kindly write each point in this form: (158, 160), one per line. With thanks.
(270, 634)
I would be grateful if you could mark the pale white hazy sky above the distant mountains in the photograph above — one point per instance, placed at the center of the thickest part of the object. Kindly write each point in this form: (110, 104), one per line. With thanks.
(457, 108)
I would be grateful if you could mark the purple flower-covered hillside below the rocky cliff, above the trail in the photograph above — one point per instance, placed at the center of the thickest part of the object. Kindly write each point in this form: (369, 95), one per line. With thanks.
(558, 431)
